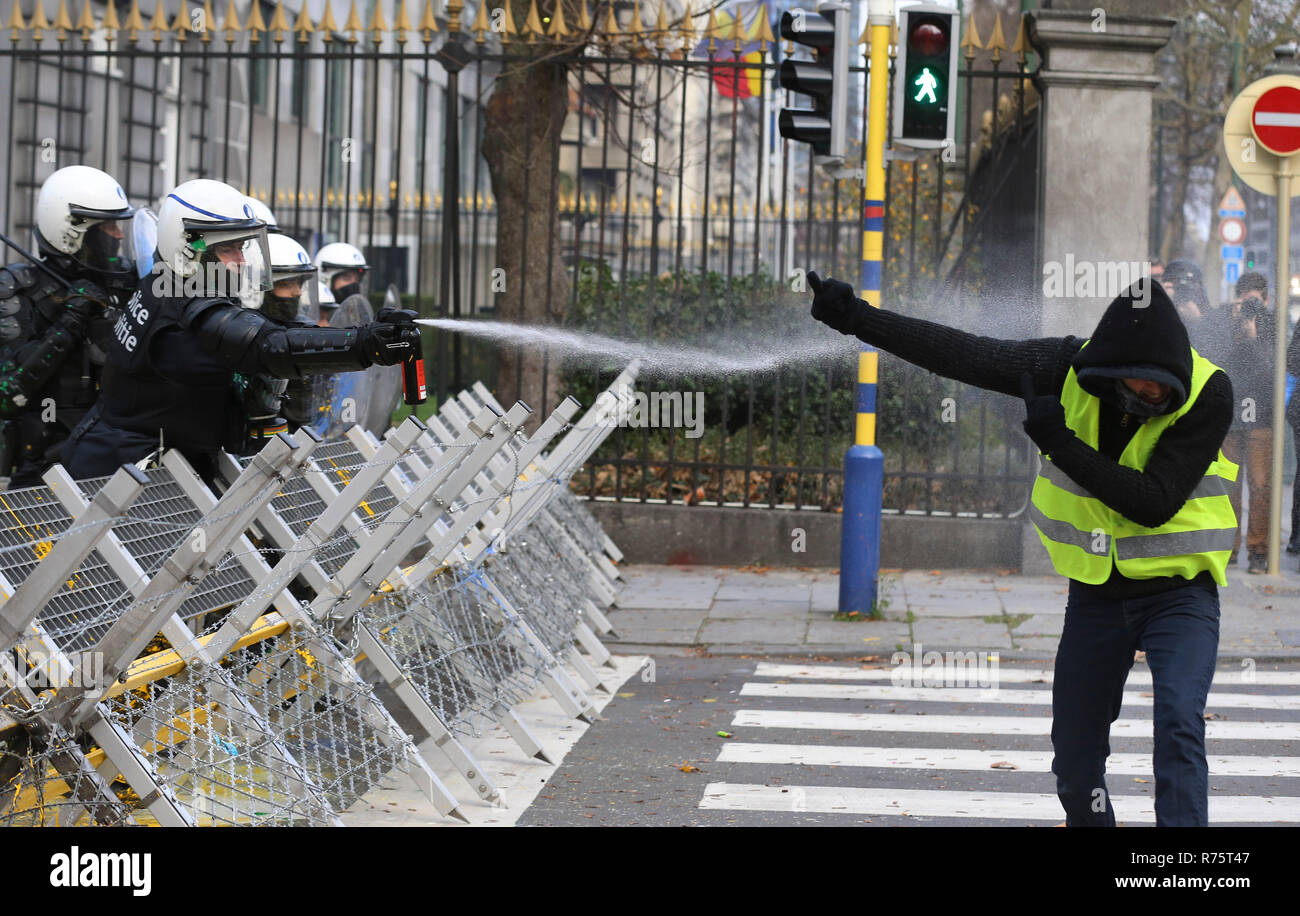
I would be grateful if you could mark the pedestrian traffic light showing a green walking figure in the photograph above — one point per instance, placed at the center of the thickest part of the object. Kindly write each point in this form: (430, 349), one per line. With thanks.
(926, 77)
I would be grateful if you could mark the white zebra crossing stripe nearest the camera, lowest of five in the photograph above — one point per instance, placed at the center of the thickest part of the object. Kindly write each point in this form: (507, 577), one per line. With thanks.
(985, 805)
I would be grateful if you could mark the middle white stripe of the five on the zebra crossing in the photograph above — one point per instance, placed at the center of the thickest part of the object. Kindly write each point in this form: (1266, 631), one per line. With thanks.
(1029, 726)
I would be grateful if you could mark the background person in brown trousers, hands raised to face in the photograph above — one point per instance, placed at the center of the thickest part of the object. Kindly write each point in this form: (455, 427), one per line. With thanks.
(1250, 442)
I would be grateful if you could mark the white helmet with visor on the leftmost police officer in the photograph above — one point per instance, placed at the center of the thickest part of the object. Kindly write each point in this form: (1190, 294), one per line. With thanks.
(72, 203)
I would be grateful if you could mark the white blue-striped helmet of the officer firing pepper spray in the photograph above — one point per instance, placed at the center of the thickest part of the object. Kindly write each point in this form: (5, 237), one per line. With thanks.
(207, 237)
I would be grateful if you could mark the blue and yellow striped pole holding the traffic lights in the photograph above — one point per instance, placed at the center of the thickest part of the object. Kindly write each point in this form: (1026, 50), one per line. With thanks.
(864, 464)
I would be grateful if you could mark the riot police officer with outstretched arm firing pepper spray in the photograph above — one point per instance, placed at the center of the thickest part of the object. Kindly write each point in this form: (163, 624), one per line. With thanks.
(185, 351)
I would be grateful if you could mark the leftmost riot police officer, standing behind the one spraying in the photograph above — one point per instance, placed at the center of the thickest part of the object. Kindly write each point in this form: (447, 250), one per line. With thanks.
(51, 333)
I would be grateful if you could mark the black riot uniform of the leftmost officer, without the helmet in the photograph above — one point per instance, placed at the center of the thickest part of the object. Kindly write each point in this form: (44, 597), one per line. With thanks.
(51, 357)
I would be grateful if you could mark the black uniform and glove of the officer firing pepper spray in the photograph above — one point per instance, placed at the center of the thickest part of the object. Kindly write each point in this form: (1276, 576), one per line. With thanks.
(179, 372)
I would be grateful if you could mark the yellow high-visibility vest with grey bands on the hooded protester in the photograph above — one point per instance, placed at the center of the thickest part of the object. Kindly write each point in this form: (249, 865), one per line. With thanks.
(1085, 537)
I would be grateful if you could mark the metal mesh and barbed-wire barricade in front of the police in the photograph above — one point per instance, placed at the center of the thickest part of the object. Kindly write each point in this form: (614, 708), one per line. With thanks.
(180, 657)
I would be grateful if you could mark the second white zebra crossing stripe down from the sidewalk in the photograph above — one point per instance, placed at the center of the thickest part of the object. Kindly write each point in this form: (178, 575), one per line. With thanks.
(982, 694)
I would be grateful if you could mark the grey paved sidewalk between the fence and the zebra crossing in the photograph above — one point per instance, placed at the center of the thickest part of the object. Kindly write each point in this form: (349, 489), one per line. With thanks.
(746, 611)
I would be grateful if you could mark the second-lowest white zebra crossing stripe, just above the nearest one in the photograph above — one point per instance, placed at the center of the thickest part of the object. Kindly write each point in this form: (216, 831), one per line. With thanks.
(969, 759)
